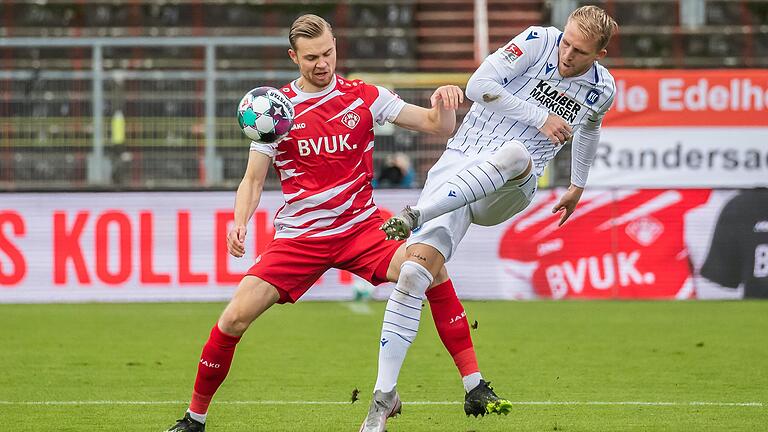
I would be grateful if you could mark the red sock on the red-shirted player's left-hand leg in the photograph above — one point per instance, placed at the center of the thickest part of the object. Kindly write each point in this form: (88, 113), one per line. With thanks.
(212, 369)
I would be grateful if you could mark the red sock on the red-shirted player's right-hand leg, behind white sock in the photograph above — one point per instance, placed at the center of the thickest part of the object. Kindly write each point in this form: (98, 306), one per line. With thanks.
(452, 326)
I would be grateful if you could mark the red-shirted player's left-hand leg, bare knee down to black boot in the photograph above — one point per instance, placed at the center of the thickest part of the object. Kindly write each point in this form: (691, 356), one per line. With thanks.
(252, 297)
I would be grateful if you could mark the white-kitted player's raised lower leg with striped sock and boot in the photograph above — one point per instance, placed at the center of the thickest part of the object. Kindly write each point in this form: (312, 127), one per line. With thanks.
(486, 175)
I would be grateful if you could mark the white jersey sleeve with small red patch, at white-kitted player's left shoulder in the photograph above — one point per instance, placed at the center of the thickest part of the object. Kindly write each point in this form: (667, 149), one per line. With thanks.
(519, 54)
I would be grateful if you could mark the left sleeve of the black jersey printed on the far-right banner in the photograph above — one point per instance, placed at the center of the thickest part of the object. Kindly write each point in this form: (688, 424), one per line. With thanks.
(723, 261)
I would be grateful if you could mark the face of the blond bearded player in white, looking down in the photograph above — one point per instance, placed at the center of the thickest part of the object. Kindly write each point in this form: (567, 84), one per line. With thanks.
(577, 52)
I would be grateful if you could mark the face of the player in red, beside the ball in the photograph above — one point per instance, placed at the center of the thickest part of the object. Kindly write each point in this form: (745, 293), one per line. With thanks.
(316, 59)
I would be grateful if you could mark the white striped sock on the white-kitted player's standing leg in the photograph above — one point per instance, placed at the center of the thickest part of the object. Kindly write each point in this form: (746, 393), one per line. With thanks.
(401, 322)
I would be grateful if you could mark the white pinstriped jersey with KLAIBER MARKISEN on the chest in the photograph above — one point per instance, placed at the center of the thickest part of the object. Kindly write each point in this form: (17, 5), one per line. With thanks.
(527, 68)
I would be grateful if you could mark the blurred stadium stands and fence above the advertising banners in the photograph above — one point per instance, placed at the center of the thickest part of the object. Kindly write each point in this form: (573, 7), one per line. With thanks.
(141, 94)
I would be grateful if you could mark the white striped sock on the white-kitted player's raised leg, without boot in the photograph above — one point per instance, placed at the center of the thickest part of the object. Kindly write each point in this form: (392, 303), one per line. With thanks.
(465, 187)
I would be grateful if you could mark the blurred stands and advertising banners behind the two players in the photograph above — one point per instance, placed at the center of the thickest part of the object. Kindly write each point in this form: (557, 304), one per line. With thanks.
(140, 96)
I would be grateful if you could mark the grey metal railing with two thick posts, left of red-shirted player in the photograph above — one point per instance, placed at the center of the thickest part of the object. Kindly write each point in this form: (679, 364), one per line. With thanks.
(99, 168)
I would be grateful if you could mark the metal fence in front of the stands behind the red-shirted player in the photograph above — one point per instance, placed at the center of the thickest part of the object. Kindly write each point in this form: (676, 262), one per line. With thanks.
(117, 125)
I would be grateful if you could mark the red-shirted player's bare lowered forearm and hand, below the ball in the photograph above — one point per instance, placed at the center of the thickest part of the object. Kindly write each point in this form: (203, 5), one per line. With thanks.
(247, 199)
